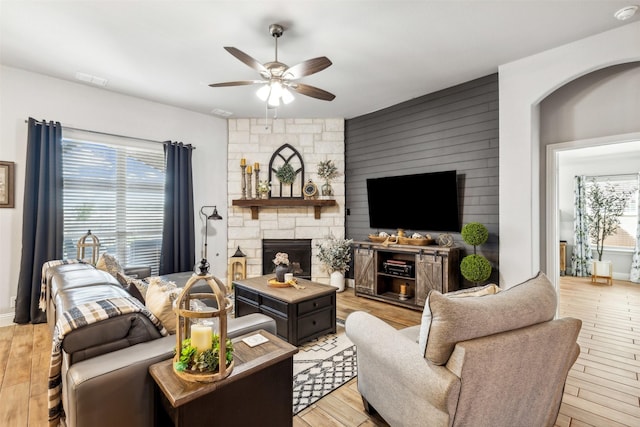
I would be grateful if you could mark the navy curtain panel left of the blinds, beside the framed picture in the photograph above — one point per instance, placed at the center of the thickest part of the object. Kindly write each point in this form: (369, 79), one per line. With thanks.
(42, 217)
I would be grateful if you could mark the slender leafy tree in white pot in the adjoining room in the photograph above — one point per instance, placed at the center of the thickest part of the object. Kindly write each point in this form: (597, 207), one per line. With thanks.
(605, 206)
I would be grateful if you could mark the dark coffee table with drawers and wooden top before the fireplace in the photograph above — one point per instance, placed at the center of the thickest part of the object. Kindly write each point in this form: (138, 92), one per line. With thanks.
(300, 314)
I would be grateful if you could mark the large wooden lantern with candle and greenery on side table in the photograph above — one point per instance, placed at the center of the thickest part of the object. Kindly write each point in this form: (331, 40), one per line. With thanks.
(203, 355)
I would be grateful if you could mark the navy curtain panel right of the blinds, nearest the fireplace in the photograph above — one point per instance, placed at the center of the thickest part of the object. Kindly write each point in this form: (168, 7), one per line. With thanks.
(178, 233)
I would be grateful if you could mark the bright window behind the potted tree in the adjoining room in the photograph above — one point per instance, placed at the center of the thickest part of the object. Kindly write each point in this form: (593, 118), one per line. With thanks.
(624, 238)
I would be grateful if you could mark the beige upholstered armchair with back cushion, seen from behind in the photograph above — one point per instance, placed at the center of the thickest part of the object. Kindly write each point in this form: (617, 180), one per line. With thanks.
(481, 357)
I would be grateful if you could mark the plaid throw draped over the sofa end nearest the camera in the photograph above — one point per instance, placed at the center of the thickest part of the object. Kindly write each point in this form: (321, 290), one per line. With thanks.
(77, 317)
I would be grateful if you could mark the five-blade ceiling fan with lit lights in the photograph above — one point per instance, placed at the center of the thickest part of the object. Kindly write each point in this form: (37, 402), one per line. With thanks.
(278, 78)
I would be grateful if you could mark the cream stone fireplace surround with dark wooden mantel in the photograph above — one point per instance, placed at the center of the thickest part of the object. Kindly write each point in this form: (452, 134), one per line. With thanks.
(316, 140)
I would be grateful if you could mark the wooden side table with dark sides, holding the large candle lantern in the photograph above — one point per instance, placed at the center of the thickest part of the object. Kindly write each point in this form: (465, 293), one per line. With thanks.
(258, 391)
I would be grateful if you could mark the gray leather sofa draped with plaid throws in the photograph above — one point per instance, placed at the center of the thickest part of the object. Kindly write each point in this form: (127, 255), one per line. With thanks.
(105, 379)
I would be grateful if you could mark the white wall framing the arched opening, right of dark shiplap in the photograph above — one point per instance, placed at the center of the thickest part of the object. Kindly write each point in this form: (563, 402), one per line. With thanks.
(523, 84)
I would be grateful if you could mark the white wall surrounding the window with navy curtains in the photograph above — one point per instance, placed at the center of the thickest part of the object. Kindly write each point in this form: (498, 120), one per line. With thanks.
(24, 94)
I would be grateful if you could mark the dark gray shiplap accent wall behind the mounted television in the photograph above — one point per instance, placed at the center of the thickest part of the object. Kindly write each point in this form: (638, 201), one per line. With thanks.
(456, 128)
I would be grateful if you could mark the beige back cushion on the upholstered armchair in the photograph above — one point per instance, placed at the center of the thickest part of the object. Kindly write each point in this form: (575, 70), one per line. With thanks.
(460, 319)
